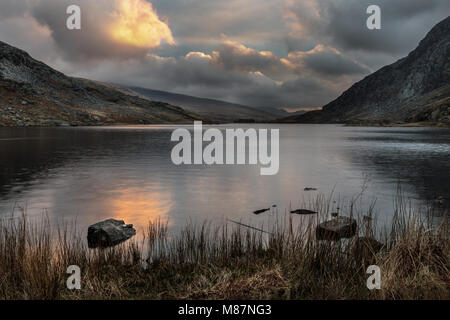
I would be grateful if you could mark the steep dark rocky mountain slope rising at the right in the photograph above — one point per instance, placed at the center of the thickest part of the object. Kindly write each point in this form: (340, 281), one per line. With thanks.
(413, 89)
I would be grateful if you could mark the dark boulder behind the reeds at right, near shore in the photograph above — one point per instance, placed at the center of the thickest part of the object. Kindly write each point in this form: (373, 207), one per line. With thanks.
(336, 229)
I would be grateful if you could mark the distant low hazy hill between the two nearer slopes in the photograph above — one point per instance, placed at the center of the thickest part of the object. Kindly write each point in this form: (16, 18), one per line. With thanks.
(215, 110)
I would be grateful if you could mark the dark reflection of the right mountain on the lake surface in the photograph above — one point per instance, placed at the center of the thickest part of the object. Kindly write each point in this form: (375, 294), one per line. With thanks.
(416, 158)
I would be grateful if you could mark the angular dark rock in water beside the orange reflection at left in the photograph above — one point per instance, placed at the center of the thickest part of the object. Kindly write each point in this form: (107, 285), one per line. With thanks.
(109, 233)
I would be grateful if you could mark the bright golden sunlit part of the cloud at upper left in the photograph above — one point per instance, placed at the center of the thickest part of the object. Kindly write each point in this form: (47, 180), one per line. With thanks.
(137, 24)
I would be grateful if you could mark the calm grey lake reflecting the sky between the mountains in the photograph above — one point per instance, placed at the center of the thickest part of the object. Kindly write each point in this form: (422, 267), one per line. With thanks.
(125, 172)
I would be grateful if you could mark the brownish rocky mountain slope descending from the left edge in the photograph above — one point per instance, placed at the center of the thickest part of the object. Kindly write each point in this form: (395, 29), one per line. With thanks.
(33, 94)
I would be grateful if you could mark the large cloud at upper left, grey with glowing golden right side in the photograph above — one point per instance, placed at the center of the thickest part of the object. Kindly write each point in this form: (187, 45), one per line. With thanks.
(119, 29)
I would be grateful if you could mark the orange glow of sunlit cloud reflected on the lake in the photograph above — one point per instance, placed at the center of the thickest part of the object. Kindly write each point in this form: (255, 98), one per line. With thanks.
(139, 207)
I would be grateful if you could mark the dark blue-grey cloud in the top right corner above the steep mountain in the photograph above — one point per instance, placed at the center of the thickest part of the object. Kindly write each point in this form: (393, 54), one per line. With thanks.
(342, 23)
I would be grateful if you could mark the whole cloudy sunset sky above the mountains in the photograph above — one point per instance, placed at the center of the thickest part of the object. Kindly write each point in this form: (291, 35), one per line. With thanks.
(292, 54)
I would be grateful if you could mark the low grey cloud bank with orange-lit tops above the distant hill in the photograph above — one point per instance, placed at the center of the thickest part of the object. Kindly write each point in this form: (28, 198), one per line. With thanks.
(204, 74)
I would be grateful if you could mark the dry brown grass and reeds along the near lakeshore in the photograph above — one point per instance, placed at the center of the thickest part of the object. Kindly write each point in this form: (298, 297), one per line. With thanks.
(228, 262)
